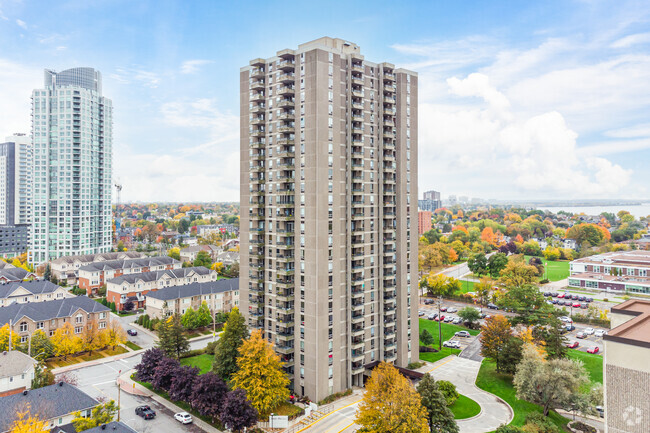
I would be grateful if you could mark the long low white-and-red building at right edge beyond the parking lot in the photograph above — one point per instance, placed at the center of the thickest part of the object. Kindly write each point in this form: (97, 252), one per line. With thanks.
(621, 271)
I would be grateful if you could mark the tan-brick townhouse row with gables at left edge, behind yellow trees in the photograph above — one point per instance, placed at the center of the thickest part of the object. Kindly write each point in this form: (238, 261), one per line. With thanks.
(48, 316)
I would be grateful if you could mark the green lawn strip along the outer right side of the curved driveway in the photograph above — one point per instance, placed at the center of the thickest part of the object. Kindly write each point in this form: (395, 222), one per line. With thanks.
(501, 385)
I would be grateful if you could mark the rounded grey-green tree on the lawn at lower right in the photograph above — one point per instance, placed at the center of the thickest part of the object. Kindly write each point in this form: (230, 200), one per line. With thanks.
(551, 384)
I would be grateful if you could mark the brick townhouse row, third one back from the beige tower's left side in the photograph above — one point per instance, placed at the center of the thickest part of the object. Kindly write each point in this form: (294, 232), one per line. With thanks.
(95, 275)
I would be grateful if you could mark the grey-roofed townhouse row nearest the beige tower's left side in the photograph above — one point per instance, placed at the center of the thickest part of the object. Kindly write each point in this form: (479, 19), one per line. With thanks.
(220, 296)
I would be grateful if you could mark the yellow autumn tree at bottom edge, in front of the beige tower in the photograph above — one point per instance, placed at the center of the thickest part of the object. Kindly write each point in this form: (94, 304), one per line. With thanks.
(390, 404)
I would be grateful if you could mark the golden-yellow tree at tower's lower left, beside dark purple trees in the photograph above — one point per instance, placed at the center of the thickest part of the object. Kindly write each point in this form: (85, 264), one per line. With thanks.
(260, 374)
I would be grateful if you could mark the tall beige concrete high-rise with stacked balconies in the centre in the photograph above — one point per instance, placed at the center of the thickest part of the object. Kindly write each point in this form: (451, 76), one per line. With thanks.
(329, 212)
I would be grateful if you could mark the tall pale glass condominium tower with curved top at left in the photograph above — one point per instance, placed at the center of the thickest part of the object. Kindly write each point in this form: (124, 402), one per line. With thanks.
(72, 132)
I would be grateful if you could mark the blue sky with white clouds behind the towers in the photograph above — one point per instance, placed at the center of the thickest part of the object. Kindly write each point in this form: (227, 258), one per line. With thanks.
(518, 99)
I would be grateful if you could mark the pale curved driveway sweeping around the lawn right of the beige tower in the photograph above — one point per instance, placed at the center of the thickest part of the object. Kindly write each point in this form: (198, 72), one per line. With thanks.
(462, 373)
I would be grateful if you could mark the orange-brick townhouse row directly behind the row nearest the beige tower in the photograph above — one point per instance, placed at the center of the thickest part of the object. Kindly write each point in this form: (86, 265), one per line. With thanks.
(134, 287)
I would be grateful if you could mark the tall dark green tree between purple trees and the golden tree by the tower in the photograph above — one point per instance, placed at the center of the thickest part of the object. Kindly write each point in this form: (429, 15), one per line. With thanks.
(227, 348)
